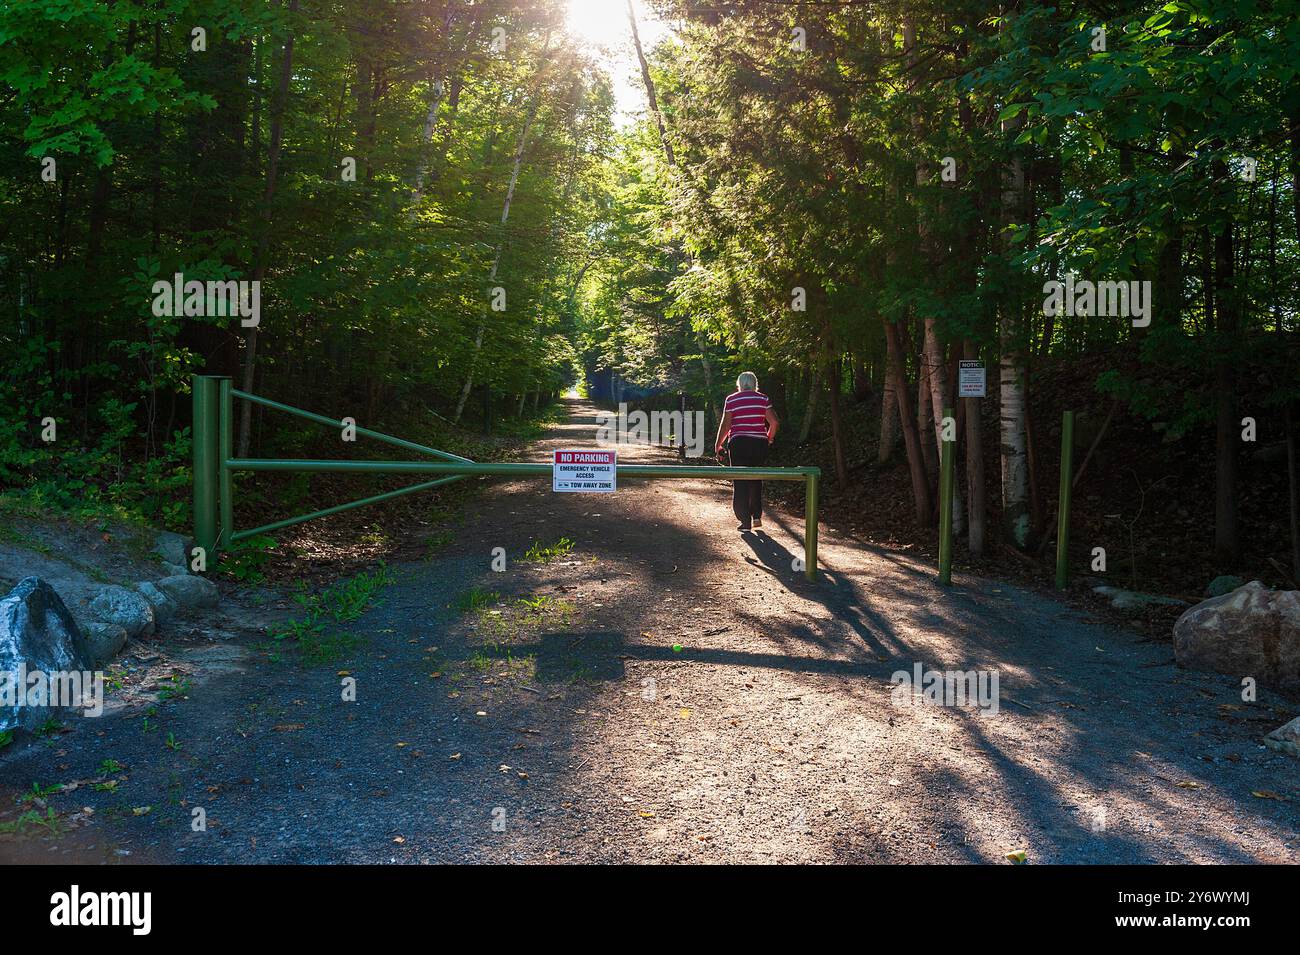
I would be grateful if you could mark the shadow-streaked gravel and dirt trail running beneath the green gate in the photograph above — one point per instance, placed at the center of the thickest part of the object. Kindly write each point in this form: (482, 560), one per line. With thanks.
(773, 736)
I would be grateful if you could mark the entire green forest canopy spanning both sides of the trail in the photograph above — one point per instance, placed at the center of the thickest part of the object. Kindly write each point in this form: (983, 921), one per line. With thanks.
(444, 211)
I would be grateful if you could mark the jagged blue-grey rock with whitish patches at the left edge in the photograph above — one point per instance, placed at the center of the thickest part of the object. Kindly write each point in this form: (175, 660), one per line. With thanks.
(37, 636)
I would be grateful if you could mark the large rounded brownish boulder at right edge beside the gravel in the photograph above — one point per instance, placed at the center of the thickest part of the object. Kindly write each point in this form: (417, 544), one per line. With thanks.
(1254, 632)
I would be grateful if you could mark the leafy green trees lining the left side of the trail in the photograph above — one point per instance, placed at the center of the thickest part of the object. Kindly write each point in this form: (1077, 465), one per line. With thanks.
(375, 293)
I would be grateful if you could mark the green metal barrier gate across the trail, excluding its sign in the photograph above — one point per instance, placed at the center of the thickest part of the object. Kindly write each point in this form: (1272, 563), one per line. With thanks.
(215, 463)
